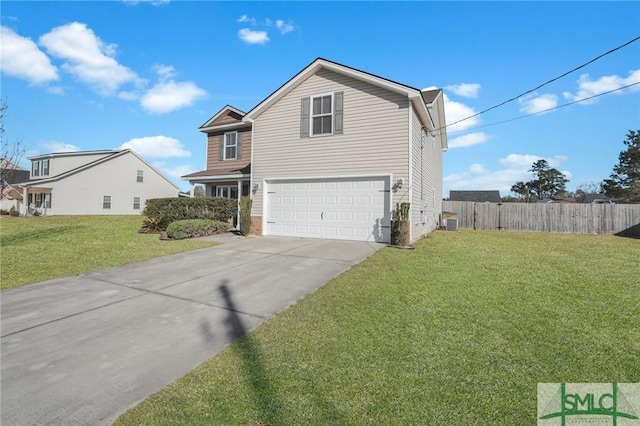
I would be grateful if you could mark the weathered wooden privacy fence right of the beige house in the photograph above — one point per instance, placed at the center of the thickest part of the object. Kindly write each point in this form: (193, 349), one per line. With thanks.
(618, 219)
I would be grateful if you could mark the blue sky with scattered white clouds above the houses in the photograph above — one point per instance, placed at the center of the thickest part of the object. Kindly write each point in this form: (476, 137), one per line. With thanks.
(146, 75)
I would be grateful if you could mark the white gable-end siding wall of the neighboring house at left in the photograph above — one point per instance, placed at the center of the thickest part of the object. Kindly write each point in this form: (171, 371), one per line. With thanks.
(82, 193)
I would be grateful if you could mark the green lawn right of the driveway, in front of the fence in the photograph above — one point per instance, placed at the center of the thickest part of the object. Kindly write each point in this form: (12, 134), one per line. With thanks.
(457, 332)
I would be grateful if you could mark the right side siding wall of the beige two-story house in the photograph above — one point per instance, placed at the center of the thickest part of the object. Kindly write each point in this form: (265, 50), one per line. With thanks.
(427, 181)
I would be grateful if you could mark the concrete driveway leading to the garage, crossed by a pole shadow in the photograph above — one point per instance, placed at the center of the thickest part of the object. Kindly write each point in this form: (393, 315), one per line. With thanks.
(81, 350)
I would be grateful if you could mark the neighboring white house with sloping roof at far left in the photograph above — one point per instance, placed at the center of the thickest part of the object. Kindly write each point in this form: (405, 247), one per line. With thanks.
(110, 182)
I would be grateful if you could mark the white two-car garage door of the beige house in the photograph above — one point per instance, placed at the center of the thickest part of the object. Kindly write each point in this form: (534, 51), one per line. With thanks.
(346, 209)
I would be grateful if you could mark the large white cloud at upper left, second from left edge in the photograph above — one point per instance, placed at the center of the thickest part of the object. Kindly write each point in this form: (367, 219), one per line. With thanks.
(88, 57)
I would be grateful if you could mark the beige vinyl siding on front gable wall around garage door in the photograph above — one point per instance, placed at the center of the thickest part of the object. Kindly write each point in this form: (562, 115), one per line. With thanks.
(374, 142)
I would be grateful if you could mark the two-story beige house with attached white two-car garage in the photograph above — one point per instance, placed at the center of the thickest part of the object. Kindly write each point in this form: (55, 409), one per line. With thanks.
(332, 152)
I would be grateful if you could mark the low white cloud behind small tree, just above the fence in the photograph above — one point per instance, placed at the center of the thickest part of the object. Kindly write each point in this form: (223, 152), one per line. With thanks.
(514, 168)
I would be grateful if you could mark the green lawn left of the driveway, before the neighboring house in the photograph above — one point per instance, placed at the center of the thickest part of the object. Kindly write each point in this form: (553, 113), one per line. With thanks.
(39, 248)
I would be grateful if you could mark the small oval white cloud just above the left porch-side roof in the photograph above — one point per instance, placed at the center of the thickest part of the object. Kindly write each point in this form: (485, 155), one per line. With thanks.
(169, 96)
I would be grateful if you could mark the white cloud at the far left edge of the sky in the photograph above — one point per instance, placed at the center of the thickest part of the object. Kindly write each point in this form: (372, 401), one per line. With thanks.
(21, 58)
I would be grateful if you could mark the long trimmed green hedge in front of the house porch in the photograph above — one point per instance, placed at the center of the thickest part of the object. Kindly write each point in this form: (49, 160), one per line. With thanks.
(170, 210)
